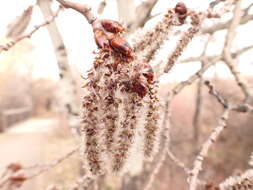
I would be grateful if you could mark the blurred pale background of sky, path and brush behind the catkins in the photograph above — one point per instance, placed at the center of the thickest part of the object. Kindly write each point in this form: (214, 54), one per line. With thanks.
(41, 80)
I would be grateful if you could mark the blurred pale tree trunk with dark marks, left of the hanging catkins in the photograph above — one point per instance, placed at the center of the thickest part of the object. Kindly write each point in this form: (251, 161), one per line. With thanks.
(68, 102)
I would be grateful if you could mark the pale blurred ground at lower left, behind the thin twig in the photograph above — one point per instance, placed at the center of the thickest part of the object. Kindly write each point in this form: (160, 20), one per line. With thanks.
(40, 141)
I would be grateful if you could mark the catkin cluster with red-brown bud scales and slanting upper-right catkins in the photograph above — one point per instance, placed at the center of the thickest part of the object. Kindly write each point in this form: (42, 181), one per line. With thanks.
(121, 109)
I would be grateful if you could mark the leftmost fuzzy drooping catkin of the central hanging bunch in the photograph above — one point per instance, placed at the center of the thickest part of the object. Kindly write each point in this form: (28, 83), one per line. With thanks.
(94, 127)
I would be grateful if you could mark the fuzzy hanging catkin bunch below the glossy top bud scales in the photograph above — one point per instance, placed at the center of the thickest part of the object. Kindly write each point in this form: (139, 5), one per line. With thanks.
(121, 102)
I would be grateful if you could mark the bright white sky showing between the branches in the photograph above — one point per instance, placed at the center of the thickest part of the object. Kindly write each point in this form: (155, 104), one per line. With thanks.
(78, 38)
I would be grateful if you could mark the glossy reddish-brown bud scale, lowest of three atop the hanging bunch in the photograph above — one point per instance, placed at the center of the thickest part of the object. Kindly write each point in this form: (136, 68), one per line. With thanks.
(122, 46)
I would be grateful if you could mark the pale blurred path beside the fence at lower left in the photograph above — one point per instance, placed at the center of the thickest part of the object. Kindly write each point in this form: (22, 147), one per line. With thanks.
(24, 143)
